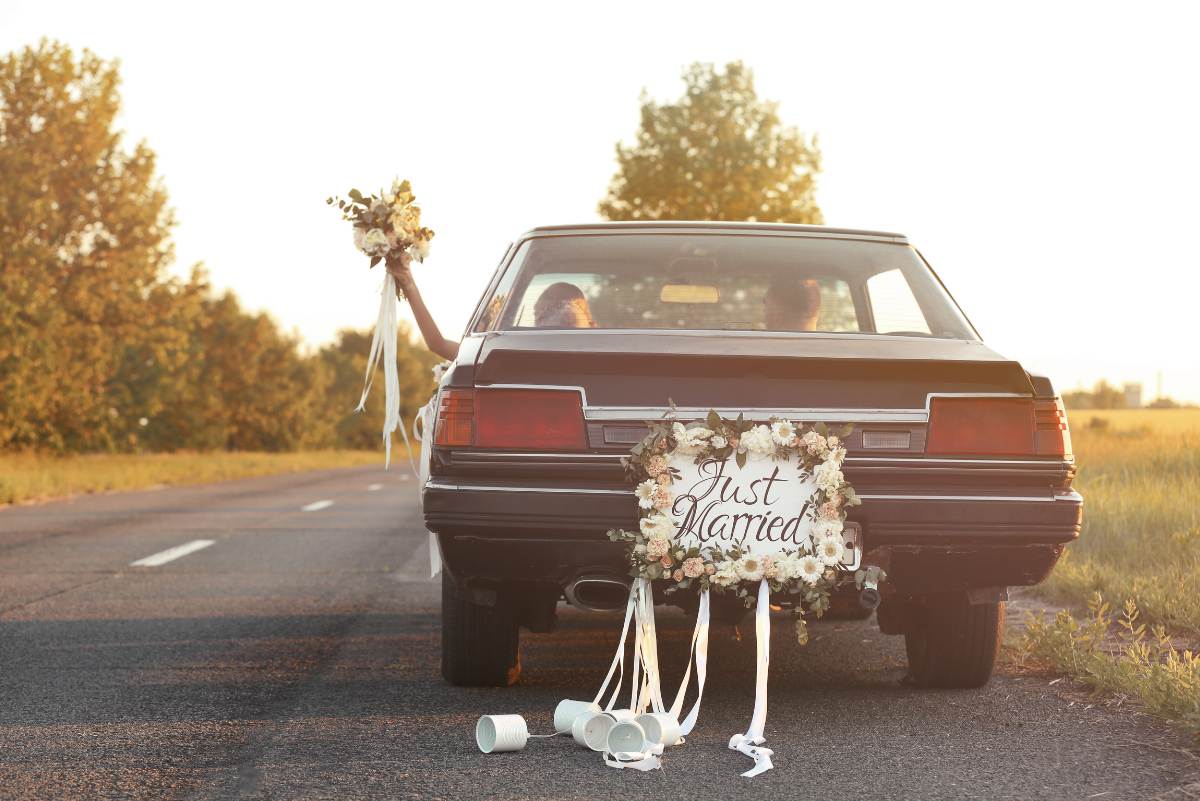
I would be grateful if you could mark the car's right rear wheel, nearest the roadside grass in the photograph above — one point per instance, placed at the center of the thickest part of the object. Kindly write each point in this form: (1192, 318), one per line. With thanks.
(956, 645)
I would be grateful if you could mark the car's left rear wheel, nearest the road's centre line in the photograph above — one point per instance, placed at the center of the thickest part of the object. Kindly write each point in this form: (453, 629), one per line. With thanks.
(479, 643)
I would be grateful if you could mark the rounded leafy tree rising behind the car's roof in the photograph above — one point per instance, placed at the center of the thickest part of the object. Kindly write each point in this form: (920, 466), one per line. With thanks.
(719, 153)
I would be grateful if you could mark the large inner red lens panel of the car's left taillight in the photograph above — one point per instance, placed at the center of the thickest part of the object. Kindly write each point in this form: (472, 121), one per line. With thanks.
(530, 419)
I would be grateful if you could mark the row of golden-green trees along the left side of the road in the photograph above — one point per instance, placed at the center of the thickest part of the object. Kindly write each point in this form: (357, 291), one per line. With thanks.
(101, 350)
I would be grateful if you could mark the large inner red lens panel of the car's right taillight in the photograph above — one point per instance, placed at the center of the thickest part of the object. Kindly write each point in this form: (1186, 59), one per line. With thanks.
(981, 427)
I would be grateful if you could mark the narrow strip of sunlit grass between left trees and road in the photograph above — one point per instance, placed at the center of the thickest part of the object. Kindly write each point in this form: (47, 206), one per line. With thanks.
(31, 478)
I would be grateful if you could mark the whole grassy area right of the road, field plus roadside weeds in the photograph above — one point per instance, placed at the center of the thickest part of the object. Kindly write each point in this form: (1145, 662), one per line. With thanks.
(1139, 472)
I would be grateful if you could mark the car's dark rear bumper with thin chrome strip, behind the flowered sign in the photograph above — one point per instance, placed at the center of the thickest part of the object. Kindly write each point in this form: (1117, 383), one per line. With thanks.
(928, 543)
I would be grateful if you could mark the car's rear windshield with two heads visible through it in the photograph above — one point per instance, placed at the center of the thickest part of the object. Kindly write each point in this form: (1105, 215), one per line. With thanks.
(722, 282)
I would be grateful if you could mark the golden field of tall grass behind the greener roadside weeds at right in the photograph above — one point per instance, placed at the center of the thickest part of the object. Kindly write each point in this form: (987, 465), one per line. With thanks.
(1139, 474)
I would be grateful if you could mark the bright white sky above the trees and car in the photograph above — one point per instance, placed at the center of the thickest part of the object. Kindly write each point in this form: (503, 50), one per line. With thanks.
(1043, 156)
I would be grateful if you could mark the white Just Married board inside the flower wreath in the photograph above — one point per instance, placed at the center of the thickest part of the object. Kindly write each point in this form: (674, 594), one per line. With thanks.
(765, 507)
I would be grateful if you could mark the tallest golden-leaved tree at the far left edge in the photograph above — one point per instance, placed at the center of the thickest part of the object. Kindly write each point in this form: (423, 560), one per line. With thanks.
(85, 231)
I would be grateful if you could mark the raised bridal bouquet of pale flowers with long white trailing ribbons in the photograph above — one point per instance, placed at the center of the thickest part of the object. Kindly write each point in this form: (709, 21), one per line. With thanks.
(387, 227)
